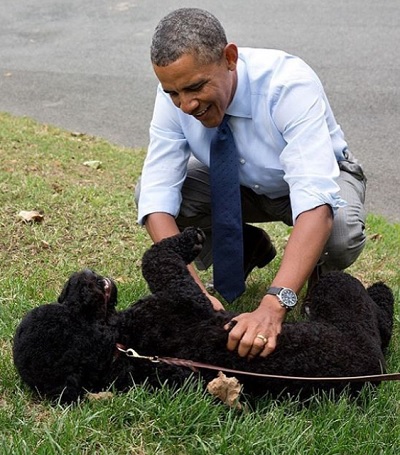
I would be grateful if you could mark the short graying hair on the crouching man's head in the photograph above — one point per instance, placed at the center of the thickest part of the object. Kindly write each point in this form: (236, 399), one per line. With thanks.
(188, 31)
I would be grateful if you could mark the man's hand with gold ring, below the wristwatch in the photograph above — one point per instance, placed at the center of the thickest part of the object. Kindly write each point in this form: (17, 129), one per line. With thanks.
(256, 333)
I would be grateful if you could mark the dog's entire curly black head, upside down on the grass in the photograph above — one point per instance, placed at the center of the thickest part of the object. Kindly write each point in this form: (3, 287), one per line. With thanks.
(62, 349)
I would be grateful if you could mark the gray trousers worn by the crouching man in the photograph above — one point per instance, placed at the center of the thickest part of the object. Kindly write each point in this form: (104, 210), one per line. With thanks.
(347, 239)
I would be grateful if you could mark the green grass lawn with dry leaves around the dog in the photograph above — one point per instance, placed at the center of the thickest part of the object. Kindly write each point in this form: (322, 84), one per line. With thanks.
(89, 220)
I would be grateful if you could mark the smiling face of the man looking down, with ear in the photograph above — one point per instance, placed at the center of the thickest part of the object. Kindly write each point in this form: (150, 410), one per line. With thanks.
(203, 90)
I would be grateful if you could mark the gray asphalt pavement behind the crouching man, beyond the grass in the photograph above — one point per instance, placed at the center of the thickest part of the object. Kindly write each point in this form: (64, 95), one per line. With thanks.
(84, 66)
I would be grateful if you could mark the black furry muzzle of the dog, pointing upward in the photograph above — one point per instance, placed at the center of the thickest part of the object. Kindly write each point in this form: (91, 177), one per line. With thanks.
(89, 294)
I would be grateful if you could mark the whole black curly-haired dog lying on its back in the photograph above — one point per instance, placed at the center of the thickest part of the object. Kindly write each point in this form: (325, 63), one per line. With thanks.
(66, 348)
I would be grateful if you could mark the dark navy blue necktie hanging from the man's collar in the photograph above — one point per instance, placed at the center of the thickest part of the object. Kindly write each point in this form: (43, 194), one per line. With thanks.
(226, 211)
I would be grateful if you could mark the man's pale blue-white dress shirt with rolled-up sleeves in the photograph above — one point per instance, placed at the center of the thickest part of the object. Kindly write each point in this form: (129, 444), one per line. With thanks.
(285, 132)
